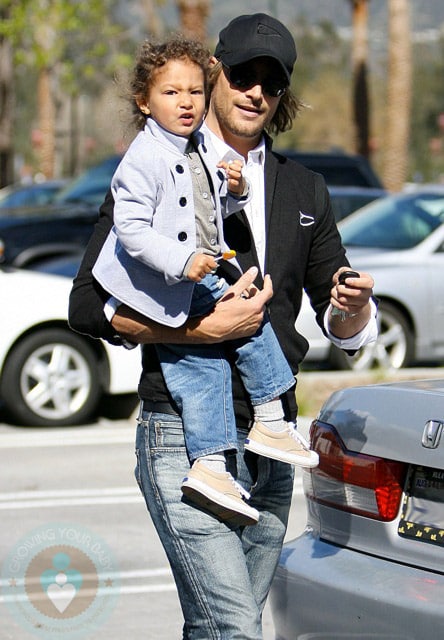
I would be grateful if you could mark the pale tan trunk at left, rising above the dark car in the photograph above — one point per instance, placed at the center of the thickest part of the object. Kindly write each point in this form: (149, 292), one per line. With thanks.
(46, 111)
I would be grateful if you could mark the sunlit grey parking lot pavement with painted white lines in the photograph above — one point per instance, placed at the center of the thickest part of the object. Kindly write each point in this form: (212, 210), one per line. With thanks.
(79, 480)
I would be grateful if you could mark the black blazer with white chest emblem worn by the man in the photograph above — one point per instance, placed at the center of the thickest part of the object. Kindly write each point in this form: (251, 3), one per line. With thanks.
(303, 252)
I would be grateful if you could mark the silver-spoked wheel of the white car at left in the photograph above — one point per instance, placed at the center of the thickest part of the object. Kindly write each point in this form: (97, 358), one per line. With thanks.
(51, 378)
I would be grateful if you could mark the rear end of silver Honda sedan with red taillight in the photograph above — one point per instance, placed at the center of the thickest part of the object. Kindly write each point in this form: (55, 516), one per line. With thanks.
(370, 563)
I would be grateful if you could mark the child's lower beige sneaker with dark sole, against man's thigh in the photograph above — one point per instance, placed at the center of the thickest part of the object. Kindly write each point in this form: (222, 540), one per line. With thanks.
(220, 494)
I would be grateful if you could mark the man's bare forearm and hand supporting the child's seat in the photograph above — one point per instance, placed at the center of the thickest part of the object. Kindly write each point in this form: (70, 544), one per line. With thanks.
(237, 315)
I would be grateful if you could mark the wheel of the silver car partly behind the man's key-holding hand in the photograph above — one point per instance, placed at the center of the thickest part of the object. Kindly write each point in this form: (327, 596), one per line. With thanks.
(393, 349)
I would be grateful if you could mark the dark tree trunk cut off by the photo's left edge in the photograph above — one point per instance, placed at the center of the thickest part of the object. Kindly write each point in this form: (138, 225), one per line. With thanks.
(6, 110)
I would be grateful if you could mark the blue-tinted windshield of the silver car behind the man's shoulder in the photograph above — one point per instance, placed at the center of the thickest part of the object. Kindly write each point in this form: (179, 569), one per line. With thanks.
(395, 222)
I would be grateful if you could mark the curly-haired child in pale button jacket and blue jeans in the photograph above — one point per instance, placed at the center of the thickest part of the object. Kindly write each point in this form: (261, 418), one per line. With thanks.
(160, 259)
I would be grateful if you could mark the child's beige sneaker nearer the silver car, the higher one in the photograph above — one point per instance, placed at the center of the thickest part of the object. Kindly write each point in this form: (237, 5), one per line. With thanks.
(286, 446)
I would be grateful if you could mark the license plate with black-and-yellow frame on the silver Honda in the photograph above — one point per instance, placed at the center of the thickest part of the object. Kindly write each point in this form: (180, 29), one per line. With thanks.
(422, 515)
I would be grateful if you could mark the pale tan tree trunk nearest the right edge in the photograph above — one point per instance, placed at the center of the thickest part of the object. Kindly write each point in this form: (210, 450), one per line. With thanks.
(398, 96)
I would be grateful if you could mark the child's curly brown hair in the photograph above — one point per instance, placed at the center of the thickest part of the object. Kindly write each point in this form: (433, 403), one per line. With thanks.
(152, 56)
